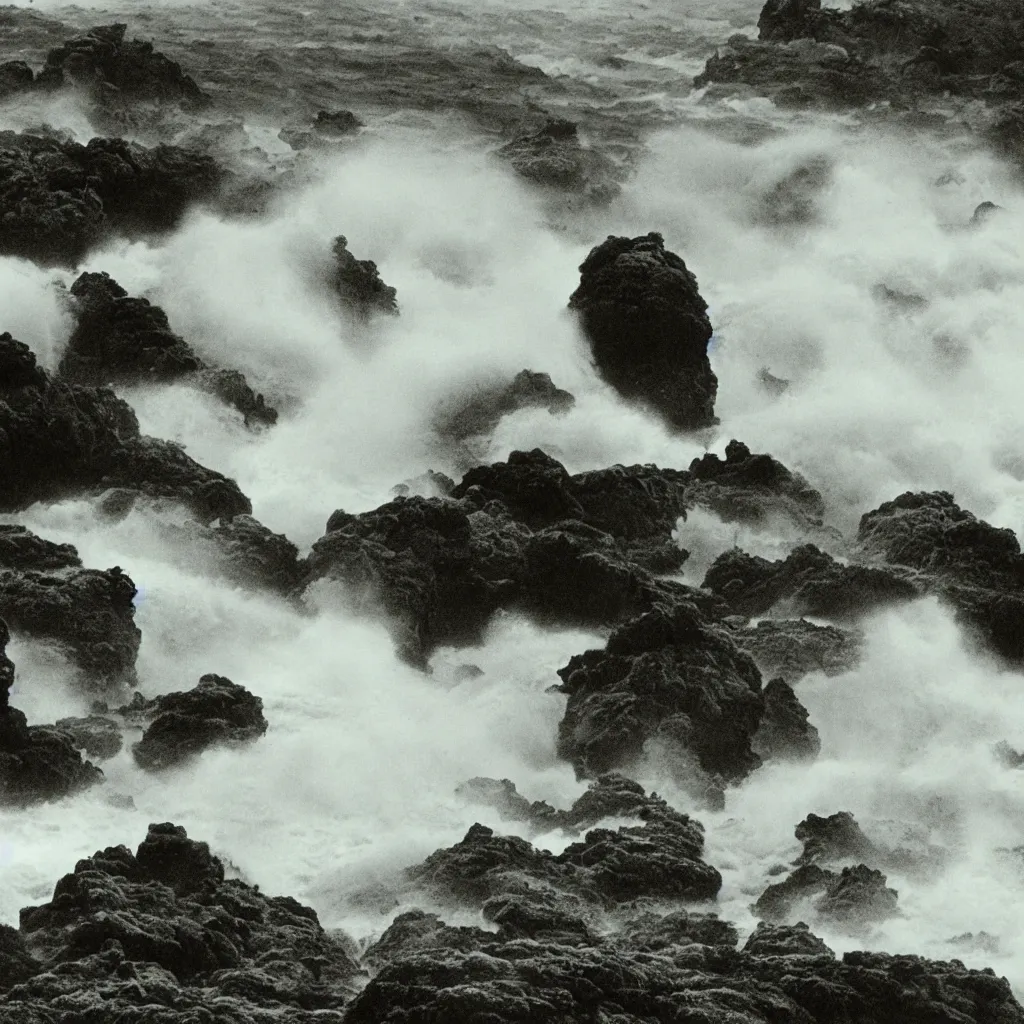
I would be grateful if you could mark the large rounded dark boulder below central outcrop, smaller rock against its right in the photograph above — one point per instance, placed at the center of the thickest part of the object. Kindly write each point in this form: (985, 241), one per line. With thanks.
(672, 678)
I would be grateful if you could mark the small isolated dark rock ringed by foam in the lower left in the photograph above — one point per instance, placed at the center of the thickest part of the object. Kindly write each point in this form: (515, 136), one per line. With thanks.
(181, 727)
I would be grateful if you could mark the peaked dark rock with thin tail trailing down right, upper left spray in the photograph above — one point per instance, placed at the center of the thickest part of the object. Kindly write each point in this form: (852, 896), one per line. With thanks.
(123, 340)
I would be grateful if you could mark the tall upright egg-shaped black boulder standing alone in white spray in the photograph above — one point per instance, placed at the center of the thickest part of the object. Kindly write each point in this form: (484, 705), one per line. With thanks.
(649, 330)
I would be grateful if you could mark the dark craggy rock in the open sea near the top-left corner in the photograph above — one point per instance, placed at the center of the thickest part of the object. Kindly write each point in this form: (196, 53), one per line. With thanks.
(114, 70)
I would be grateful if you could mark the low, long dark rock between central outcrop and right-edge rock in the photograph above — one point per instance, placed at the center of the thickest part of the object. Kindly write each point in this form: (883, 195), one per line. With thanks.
(807, 582)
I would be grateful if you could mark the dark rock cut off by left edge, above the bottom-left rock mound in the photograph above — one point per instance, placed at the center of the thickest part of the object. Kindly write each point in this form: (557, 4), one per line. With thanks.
(37, 763)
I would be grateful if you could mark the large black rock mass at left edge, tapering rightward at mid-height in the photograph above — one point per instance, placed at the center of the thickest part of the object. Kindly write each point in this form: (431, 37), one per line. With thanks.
(59, 440)
